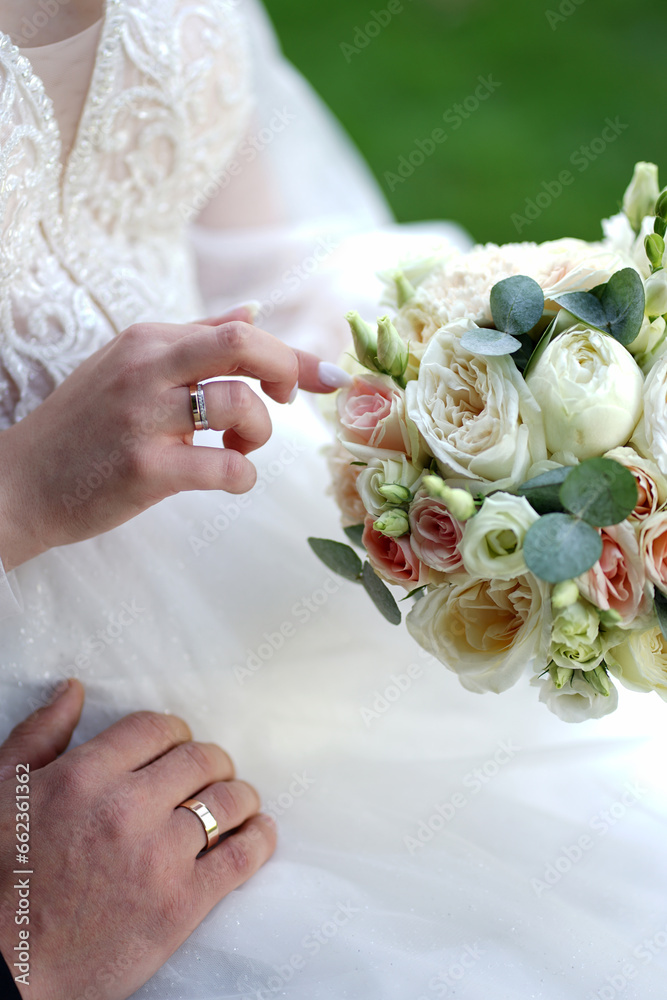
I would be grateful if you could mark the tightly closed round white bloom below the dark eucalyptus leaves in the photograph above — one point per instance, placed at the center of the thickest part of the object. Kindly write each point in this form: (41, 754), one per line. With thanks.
(589, 388)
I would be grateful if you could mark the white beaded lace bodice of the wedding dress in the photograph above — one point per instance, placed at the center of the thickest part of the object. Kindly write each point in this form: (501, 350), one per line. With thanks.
(96, 243)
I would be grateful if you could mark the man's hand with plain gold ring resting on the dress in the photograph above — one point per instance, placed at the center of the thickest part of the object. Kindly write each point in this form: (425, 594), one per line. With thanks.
(112, 884)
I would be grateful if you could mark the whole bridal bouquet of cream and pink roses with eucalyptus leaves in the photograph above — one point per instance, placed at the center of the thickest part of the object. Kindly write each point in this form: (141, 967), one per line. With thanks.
(502, 456)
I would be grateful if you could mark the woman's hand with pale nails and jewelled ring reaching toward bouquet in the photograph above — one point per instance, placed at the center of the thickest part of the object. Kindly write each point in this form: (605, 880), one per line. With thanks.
(116, 436)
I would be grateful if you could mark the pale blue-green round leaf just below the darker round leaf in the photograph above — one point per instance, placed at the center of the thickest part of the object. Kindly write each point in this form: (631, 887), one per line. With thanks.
(560, 547)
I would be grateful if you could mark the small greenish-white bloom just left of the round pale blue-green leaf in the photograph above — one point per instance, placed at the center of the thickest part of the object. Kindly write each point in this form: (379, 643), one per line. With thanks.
(492, 544)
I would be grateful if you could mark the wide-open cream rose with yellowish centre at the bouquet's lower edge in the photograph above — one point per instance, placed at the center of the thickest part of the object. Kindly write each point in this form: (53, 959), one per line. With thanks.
(486, 631)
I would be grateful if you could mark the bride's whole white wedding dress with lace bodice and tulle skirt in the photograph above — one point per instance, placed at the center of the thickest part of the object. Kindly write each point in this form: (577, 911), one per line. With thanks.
(432, 842)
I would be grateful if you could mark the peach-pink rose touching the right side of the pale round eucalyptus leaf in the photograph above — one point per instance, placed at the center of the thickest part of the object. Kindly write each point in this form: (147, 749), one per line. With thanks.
(618, 581)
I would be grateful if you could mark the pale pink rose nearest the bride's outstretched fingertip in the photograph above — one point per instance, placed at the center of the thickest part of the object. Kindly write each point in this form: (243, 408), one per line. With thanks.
(371, 412)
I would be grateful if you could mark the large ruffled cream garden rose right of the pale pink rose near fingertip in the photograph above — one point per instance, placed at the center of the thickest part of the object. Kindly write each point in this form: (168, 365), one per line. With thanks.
(477, 415)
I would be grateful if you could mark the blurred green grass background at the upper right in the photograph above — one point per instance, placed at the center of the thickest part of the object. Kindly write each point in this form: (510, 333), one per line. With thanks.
(563, 69)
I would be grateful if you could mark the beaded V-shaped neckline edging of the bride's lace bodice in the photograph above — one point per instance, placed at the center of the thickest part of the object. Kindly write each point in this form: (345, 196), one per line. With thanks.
(99, 82)
